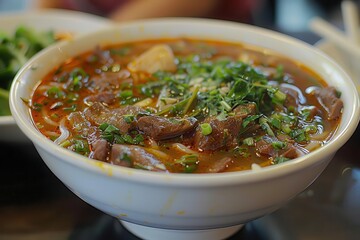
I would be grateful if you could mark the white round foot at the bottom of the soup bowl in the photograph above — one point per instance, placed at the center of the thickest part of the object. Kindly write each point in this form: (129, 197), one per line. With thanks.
(149, 233)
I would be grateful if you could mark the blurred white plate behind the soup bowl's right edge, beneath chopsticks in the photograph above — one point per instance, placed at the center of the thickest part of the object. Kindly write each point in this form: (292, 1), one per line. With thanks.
(348, 63)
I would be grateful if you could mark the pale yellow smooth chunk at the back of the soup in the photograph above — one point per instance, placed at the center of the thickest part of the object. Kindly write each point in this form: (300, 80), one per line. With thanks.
(158, 58)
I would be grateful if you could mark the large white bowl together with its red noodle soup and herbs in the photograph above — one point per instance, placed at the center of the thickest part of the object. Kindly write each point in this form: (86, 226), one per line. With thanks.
(185, 128)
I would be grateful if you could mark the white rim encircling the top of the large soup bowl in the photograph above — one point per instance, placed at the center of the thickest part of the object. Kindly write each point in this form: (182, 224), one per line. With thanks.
(181, 179)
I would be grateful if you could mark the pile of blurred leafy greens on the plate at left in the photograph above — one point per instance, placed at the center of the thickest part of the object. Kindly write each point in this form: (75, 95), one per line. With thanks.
(15, 50)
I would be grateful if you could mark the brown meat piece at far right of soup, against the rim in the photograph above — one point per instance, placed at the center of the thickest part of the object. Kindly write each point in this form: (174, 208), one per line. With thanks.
(330, 101)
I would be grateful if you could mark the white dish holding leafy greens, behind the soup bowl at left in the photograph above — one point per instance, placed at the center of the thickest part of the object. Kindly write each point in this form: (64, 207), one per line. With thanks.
(51, 19)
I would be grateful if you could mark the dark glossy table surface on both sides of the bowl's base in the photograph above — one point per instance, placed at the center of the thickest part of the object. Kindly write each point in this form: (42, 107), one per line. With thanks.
(34, 204)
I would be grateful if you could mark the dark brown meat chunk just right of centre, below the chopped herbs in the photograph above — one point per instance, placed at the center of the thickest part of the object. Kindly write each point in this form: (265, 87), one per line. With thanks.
(224, 134)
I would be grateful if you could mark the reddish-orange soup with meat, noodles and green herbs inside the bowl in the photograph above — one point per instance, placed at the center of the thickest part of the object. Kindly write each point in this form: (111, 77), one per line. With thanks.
(186, 106)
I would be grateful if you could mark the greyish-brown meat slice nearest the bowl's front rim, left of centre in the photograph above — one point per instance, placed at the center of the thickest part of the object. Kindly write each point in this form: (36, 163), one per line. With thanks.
(135, 157)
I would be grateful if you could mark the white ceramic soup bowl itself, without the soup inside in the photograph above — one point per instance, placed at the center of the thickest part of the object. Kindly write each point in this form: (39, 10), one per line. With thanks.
(182, 206)
